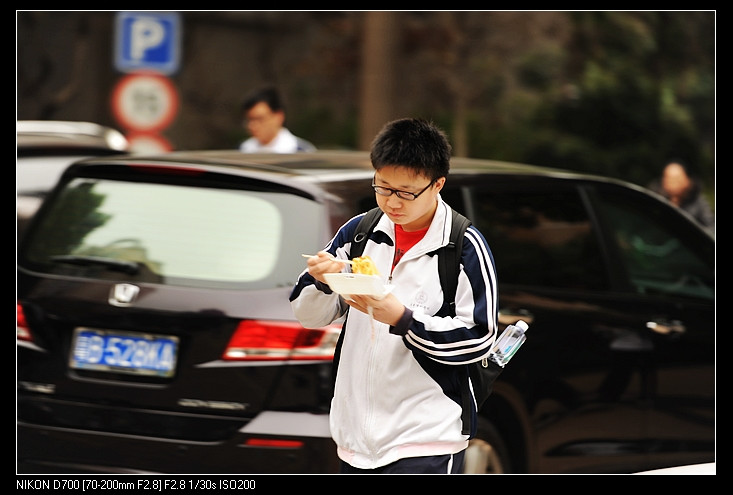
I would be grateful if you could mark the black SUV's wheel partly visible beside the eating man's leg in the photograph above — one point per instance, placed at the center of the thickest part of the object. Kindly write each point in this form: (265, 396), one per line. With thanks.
(487, 452)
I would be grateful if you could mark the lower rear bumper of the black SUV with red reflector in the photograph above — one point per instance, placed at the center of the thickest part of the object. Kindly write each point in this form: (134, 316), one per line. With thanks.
(273, 443)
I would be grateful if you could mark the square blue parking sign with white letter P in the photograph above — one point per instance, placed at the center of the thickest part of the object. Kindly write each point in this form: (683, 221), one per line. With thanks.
(147, 41)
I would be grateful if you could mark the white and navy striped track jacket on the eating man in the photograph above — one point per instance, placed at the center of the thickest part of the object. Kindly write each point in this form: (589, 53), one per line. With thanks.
(397, 390)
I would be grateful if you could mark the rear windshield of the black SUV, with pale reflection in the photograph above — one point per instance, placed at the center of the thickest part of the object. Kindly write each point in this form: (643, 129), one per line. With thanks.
(174, 234)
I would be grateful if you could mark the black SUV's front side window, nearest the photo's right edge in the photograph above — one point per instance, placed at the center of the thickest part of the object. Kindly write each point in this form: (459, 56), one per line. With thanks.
(659, 253)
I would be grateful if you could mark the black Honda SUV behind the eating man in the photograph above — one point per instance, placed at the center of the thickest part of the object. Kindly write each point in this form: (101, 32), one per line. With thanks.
(155, 333)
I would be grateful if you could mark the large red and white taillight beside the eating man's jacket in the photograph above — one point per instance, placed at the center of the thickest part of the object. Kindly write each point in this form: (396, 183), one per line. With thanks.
(257, 340)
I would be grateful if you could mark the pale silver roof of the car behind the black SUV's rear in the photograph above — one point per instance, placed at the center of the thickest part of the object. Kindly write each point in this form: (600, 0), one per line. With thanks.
(68, 135)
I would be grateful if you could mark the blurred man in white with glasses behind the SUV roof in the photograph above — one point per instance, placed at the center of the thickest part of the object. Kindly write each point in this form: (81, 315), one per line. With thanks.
(264, 118)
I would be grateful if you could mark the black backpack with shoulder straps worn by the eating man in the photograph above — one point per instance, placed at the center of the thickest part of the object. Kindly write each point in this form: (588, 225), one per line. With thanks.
(483, 373)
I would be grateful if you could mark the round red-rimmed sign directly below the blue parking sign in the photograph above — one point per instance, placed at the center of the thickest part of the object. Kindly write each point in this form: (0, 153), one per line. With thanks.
(145, 102)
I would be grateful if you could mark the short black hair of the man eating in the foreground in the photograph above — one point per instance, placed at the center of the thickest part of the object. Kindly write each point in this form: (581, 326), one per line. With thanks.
(413, 143)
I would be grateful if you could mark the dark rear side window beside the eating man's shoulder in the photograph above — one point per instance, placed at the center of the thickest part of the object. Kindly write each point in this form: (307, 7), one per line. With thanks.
(539, 238)
